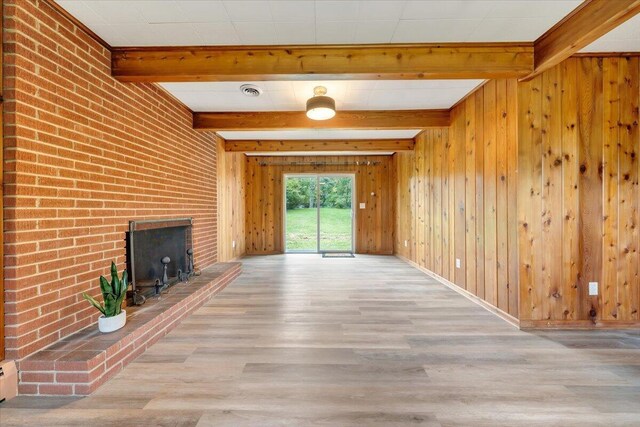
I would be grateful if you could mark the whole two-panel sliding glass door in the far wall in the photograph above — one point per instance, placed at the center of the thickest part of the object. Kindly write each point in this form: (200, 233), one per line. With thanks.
(318, 213)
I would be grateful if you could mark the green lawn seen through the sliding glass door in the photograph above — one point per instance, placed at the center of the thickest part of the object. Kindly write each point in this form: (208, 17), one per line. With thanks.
(335, 233)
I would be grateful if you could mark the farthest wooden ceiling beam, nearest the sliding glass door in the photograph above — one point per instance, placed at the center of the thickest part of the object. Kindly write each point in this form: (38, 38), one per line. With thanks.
(319, 145)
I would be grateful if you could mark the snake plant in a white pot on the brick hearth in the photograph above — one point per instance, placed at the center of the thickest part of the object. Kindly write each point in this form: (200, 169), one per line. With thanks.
(113, 316)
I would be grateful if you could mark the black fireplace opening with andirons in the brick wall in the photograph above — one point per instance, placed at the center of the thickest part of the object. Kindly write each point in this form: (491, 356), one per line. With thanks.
(159, 255)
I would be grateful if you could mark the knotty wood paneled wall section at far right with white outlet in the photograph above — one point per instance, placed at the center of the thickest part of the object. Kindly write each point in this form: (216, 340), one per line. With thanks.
(578, 198)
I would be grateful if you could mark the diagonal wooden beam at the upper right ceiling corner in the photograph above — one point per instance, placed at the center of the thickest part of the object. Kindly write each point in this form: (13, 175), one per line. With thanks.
(588, 22)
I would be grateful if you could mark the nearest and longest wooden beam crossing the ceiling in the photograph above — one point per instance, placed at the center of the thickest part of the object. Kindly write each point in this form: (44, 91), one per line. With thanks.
(323, 62)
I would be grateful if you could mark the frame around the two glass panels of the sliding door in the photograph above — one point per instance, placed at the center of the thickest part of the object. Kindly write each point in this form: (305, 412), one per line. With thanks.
(317, 177)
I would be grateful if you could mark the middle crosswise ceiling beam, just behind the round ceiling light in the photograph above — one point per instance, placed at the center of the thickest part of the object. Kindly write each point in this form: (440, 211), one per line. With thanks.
(346, 119)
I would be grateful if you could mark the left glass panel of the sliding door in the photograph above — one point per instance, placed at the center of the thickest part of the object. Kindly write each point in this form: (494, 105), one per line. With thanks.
(301, 217)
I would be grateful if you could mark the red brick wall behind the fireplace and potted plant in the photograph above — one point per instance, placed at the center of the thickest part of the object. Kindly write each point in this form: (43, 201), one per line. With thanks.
(85, 154)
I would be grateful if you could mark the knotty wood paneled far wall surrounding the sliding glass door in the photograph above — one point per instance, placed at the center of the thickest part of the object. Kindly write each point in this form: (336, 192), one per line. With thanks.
(374, 225)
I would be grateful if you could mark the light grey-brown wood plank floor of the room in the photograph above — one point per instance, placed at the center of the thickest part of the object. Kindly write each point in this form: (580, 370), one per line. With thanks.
(300, 340)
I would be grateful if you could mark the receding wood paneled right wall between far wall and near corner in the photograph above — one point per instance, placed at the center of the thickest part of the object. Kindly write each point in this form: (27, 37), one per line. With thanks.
(457, 197)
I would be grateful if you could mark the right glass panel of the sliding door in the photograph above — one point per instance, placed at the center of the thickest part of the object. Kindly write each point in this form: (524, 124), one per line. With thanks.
(336, 213)
